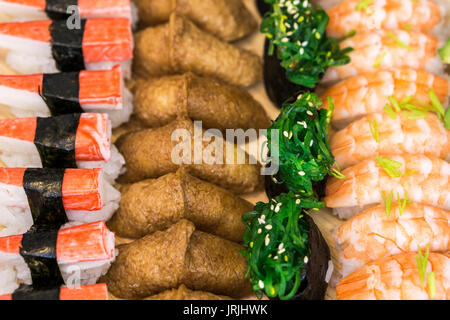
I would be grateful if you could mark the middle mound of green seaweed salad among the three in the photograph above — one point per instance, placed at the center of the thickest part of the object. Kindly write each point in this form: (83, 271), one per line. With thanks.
(304, 155)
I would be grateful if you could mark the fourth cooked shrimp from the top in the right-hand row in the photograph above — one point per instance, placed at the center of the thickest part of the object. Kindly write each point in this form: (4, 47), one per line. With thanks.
(377, 134)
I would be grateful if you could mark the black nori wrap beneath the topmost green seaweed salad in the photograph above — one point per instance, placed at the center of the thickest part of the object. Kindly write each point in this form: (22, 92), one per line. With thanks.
(278, 87)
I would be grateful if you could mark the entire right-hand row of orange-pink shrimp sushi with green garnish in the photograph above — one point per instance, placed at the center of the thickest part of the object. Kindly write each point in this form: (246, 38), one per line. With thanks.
(392, 147)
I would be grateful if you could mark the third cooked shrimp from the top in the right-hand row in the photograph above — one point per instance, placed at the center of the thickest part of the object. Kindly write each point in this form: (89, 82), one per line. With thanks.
(369, 92)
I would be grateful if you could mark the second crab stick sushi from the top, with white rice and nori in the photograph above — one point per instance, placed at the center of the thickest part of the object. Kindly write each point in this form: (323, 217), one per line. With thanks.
(47, 46)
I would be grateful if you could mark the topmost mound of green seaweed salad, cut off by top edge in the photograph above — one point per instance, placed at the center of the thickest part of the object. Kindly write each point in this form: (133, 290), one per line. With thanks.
(296, 30)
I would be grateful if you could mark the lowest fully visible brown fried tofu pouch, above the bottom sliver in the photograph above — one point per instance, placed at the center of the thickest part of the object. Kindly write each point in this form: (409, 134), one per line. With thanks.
(179, 255)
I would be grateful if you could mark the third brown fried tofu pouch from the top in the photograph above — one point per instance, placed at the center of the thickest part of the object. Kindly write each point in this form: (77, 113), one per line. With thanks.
(158, 101)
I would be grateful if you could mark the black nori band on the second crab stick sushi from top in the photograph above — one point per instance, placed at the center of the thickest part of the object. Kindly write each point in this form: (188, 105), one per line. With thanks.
(67, 48)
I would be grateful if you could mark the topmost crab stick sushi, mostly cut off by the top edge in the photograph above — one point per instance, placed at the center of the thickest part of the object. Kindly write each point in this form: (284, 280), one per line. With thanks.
(24, 10)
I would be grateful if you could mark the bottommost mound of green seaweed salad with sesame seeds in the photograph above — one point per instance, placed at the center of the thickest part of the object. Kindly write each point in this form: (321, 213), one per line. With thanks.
(276, 254)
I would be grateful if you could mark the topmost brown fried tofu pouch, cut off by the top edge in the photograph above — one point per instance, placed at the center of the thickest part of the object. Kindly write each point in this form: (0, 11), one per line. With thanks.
(228, 20)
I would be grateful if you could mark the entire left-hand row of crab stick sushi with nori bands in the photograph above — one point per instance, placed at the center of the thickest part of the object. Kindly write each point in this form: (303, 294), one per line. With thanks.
(57, 188)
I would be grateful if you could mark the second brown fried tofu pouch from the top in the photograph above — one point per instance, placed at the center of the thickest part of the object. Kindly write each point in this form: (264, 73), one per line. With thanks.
(179, 46)
